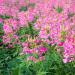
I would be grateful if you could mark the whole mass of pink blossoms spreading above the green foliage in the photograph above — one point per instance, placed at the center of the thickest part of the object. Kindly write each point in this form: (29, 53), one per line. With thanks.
(55, 23)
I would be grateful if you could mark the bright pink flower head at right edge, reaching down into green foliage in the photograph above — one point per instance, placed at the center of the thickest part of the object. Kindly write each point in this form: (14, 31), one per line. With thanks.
(69, 48)
